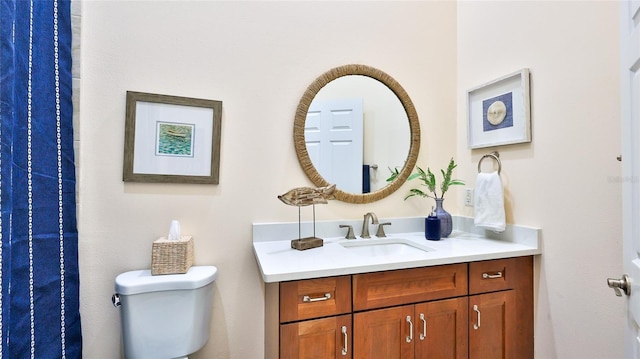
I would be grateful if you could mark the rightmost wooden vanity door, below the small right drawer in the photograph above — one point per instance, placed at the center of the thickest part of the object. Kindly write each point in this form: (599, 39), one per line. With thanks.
(492, 325)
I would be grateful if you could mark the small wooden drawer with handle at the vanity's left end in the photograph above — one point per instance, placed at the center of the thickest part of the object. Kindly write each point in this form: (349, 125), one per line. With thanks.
(314, 298)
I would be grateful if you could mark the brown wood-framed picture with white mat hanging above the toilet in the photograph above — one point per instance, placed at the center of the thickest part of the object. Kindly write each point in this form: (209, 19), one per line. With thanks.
(171, 139)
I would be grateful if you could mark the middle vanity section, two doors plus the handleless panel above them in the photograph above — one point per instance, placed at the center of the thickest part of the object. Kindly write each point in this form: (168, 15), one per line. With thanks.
(416, 320)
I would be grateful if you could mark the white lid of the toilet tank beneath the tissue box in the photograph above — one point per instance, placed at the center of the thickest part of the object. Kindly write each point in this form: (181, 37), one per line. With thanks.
(141, 281)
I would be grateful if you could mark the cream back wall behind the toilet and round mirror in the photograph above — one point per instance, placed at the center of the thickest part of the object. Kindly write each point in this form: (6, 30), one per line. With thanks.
(258, 58)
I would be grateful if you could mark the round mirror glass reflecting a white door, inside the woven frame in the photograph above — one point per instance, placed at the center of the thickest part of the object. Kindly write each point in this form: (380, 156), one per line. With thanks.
(385, 133)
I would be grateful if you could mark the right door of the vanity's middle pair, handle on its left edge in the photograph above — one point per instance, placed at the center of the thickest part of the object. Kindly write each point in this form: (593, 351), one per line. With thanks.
(441, 329)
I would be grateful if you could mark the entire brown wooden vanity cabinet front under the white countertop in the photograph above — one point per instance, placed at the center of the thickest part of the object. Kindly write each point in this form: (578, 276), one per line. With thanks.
(473, 310)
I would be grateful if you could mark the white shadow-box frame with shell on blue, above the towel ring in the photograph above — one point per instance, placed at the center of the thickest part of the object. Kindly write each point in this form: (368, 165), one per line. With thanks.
(480, 133)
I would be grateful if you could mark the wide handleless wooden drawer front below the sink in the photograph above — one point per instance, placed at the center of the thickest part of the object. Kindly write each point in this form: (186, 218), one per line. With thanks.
(385, 289)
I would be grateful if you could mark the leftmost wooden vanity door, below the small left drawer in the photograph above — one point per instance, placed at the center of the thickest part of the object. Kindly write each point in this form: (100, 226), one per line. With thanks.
(325, 338)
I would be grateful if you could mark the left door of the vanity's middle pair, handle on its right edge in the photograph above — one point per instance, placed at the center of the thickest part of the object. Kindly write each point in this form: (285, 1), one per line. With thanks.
(384, 333)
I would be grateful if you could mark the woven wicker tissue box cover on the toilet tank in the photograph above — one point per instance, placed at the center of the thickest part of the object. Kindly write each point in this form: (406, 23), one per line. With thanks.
(171, 257)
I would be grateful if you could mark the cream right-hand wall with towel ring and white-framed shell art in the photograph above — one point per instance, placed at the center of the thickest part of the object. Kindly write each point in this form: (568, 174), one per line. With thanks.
(567, 181)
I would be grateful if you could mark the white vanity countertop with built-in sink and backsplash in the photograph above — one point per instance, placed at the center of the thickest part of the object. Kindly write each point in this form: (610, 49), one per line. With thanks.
(279, 262)
